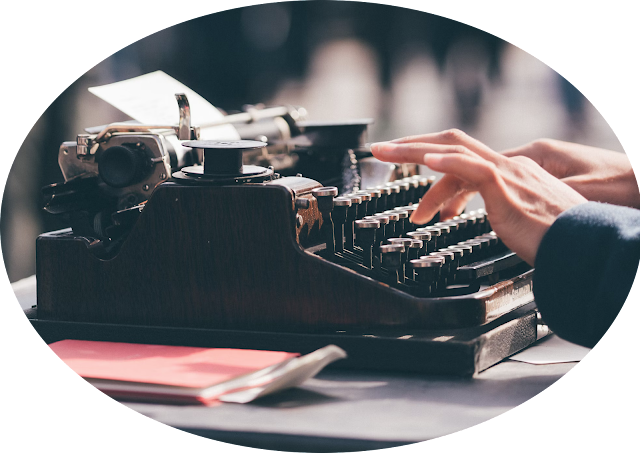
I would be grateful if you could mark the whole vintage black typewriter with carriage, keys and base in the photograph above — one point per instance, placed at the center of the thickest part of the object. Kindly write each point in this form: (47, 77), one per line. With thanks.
(177, 240)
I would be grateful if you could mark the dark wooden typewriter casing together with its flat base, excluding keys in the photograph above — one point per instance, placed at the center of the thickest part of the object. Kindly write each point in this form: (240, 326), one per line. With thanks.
(247, 265)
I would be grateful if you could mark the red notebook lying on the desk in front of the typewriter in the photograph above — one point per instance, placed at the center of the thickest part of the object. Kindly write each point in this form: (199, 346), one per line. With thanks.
(166, 373)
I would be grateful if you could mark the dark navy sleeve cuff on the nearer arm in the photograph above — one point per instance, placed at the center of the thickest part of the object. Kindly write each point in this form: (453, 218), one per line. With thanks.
(585, 268)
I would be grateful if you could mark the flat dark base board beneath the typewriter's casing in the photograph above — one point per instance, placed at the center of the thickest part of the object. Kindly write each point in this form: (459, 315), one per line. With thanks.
(458, 352)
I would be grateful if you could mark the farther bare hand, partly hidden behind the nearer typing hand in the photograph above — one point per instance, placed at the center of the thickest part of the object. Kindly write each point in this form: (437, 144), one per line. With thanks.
(598, 174)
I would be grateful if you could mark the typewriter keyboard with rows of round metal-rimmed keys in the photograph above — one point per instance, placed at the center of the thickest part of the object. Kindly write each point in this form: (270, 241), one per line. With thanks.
(369, 231)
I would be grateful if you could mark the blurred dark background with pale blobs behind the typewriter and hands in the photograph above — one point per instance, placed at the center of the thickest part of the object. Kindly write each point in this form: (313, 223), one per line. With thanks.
(413, 72)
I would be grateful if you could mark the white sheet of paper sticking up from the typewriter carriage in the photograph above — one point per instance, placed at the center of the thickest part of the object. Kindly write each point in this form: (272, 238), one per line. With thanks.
(150, 99)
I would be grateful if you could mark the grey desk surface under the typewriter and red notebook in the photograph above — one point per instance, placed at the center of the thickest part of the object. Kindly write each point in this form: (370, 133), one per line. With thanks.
(355, 411)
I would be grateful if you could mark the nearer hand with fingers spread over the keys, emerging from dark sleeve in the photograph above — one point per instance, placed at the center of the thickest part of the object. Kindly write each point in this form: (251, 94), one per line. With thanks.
(522, 199)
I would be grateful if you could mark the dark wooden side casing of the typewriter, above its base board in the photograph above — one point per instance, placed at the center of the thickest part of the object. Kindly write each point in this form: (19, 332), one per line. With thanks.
(230, 257)
